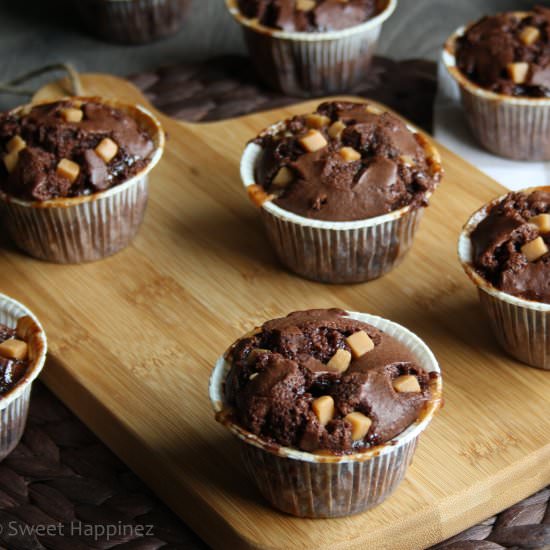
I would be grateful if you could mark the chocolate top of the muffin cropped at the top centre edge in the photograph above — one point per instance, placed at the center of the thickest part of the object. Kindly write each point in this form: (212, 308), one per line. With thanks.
(309, 15)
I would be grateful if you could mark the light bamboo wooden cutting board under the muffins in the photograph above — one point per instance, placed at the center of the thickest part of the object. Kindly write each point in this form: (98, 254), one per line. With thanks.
(133, 339)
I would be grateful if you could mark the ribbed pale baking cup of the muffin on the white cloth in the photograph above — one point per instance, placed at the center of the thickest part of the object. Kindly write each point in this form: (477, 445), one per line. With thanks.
(508, 126)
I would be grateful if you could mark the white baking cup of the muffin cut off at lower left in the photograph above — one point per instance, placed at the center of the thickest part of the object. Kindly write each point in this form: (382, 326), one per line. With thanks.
(14, 405)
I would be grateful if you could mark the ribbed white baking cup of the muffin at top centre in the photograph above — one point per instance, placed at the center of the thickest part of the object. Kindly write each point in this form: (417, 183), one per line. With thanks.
(304, 64)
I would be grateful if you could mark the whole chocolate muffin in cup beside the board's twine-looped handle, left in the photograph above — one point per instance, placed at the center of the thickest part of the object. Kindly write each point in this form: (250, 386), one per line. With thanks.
(74, 176)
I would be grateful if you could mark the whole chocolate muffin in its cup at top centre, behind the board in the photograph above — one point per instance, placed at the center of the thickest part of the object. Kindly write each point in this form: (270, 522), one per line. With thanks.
(311, 47)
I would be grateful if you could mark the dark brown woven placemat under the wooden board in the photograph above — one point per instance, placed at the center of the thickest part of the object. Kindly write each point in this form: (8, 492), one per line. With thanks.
(62, 478)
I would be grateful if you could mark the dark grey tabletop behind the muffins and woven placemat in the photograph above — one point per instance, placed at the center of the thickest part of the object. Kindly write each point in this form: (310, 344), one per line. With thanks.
(37, 32)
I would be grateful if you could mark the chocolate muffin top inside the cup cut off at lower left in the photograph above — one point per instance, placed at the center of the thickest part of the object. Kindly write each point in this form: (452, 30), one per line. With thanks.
(14, 354)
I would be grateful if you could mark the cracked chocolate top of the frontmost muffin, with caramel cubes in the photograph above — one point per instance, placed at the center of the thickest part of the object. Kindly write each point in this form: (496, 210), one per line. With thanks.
(318, 380)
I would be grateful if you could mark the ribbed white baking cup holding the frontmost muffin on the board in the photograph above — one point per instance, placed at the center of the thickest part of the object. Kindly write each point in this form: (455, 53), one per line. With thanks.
(322, 486)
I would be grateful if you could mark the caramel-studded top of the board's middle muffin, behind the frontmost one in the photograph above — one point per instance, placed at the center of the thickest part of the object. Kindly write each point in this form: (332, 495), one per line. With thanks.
(344, 162)
